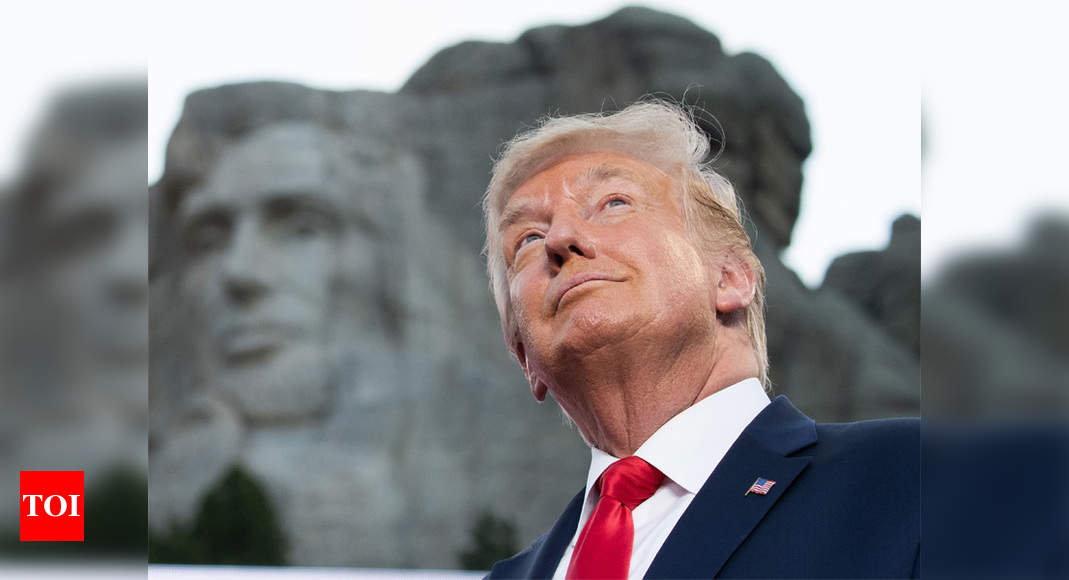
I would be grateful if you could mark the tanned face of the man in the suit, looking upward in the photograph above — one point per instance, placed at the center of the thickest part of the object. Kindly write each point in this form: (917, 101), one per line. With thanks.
(598, 256)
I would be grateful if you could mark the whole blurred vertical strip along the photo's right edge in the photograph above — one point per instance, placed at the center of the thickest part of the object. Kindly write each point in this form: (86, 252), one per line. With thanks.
(995, 309)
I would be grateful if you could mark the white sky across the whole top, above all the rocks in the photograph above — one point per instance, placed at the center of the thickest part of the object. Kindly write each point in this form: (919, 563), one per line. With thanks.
(859, 69)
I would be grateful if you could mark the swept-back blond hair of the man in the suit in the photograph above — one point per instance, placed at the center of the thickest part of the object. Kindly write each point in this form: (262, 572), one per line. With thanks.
(659, 133)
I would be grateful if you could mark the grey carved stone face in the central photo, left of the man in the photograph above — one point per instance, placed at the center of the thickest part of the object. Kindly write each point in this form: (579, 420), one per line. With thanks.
(268, 242)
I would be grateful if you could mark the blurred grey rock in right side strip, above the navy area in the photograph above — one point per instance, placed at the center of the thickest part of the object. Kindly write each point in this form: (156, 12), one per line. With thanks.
(995, 333)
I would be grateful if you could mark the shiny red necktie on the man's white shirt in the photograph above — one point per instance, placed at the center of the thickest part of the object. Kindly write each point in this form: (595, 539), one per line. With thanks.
(605, 546)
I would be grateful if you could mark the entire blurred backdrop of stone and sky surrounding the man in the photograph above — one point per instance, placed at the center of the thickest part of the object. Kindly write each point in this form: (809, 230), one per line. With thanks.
(327, 384)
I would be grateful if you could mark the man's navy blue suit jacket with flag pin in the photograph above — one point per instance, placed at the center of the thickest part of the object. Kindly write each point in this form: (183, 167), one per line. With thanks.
(846, 505)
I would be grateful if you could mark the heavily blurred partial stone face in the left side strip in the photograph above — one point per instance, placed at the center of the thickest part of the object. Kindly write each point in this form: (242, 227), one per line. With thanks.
(95, 240)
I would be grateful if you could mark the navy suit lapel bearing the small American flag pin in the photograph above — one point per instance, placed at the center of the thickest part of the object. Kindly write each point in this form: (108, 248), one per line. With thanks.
(722, 515)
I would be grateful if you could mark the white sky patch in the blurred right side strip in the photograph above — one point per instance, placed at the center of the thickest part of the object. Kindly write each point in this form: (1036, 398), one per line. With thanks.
(996, 101)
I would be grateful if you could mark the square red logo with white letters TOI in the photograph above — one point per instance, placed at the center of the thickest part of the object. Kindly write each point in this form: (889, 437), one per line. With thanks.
(52, 506)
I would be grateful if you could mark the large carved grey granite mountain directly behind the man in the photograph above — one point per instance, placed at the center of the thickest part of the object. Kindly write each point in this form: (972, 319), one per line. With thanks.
(425, 422)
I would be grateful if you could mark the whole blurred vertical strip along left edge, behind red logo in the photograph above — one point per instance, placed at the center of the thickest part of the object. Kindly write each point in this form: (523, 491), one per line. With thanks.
(74, 276)
